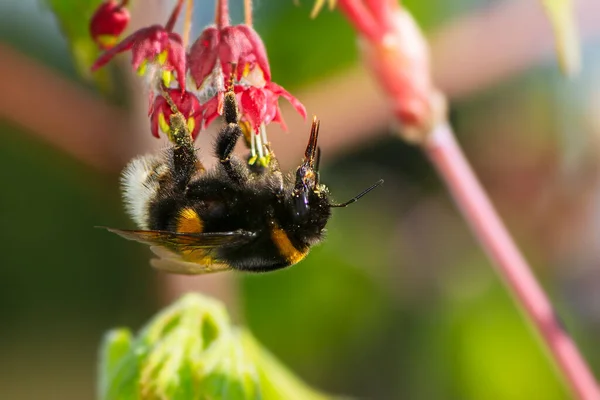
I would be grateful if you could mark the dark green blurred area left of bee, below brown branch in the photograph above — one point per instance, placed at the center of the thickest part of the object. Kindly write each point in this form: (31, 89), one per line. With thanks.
(62, 282)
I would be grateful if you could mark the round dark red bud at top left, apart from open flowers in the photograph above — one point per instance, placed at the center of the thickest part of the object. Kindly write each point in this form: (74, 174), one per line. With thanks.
(108, 23)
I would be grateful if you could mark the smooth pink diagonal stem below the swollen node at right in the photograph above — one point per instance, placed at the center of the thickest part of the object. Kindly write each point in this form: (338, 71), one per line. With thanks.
(450, 162)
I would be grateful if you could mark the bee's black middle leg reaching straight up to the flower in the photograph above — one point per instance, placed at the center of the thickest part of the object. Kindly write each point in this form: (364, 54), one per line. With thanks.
(227, 139)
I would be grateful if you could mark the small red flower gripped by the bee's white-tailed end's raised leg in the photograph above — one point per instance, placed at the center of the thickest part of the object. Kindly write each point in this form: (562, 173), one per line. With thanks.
(186, 103)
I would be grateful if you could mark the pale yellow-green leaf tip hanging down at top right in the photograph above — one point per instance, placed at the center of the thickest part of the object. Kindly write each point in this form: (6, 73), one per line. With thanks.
(560, 14)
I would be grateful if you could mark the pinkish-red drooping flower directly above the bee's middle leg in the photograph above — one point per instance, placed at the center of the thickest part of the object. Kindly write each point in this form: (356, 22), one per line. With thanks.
(238, 44)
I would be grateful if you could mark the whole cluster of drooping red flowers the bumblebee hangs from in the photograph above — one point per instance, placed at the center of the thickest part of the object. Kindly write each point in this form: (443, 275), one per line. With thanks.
(196, 78)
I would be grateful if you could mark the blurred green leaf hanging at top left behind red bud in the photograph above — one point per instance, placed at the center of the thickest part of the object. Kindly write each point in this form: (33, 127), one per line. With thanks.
(73, 17)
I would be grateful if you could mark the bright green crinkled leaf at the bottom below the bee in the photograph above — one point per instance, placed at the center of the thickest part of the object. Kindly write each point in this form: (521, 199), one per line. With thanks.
(190, 351)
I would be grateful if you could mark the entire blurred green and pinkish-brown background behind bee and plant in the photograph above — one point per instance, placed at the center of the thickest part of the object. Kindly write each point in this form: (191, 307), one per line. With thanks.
(399, 302)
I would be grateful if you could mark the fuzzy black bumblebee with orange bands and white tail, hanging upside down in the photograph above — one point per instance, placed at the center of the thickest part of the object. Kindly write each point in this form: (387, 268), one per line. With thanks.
(234, 216)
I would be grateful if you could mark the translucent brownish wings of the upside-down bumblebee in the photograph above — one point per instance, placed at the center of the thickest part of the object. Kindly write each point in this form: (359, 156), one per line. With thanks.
(187, 253)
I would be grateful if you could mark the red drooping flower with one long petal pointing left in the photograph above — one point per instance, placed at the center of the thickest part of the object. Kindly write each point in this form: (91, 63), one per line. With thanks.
(151, 46)
